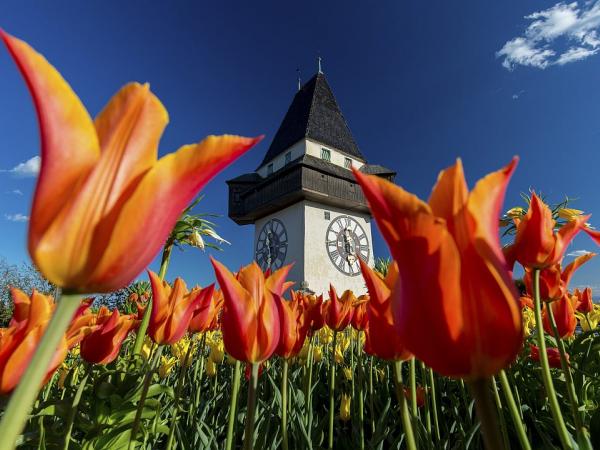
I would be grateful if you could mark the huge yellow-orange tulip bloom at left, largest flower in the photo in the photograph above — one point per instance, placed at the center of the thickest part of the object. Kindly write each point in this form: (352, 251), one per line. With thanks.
(101, 183)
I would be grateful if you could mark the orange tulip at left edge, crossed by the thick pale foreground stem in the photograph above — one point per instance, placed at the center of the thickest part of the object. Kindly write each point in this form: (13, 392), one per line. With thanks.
(19, 341)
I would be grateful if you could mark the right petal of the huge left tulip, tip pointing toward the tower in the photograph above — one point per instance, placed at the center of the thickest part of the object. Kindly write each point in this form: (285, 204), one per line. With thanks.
(171, 184)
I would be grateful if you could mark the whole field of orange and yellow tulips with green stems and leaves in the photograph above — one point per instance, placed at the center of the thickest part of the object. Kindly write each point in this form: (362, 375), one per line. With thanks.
(470, 336)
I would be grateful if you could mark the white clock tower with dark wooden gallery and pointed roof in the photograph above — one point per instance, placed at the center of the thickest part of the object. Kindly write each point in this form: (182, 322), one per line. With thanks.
(303, 200)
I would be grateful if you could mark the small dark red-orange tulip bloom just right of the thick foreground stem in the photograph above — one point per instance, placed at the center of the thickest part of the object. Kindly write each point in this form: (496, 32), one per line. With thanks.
(103, 344)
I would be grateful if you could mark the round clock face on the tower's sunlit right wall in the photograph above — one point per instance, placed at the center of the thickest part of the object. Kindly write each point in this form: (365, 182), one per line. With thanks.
(346, 241)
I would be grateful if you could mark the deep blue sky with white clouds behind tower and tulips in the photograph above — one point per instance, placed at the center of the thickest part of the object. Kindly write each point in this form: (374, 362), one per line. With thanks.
(420, 83)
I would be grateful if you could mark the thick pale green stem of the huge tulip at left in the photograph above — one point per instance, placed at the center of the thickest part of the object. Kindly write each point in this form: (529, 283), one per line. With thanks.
(15, 414)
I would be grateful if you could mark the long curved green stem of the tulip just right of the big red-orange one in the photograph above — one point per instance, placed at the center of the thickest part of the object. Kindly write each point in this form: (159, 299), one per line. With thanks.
(561, 429)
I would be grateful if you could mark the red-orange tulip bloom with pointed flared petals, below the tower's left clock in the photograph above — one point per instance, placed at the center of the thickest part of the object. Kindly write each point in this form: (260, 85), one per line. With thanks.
(250, 320)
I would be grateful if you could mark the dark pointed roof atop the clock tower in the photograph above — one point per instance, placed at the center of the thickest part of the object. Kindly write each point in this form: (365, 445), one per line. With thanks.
(314, 114)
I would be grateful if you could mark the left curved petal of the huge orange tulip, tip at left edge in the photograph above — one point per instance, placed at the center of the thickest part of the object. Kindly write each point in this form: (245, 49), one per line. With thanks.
(68, 138)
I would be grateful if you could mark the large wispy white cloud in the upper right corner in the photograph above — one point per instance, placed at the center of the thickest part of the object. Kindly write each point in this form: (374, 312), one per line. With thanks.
(563, 24)
